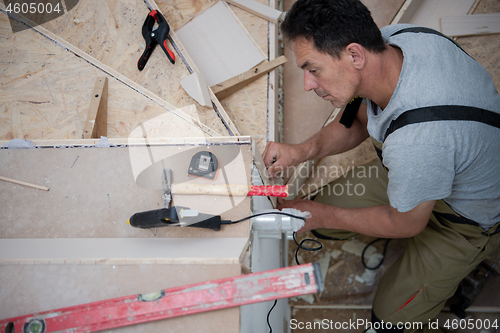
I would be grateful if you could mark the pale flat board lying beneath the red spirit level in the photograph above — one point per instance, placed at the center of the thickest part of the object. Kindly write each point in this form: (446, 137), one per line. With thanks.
(35, 288)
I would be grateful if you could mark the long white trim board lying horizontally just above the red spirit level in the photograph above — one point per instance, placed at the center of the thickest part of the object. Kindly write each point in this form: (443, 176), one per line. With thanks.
(122, 251)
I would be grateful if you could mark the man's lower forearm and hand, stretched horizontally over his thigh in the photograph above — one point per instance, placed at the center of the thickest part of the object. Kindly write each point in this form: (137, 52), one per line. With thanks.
(377, 221)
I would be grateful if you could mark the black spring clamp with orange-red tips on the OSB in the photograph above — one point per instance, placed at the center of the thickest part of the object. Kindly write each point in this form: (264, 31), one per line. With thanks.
(154, 37)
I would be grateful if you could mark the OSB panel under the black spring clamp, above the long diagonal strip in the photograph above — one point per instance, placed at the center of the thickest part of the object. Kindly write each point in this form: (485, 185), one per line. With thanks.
(111, 32)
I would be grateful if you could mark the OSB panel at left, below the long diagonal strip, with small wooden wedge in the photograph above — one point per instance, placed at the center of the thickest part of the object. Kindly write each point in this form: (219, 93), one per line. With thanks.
(46, 93)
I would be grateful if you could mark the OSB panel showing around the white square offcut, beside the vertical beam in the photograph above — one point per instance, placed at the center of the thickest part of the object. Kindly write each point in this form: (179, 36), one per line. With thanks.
(248, 106)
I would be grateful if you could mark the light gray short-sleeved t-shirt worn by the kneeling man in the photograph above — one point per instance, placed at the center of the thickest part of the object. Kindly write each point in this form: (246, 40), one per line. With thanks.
(458, 161)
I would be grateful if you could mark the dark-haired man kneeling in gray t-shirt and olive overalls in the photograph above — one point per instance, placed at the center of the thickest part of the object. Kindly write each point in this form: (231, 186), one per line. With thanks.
(442, 189)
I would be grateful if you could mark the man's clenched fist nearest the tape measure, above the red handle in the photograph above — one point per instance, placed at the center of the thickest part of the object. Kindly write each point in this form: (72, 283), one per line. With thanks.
(279, 156)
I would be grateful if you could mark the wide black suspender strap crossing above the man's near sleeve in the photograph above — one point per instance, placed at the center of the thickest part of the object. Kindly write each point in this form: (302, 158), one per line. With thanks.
(444, 112)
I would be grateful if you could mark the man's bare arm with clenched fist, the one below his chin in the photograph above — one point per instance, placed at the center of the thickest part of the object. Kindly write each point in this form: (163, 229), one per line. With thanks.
(332, 139)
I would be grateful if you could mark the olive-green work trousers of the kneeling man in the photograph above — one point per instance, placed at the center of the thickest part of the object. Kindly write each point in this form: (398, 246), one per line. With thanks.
(434, 262)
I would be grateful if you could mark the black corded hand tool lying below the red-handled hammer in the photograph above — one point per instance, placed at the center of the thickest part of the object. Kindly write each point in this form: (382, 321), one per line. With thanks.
(174, 216)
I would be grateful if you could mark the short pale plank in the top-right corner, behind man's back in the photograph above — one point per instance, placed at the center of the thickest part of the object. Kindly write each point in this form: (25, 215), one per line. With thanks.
(469, 25)
